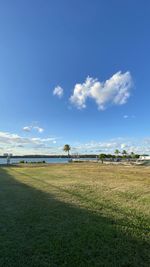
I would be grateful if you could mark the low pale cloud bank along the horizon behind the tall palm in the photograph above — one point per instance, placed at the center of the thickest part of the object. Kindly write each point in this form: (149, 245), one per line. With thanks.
(16, 144)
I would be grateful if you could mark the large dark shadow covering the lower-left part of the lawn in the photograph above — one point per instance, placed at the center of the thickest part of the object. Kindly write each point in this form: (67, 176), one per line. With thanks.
(36, 229)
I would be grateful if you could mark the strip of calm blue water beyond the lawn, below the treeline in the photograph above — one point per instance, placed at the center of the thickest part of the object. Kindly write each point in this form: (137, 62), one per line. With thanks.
(47, 160)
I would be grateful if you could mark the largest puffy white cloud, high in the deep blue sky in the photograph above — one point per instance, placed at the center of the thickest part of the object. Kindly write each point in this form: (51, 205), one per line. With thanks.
(114, 91)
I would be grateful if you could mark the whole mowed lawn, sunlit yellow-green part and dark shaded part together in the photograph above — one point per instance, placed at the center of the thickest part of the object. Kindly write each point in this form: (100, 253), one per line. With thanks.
(74, 215)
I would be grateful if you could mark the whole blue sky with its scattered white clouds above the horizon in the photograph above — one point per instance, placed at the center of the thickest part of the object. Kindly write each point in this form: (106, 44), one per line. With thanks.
(74, 72)
